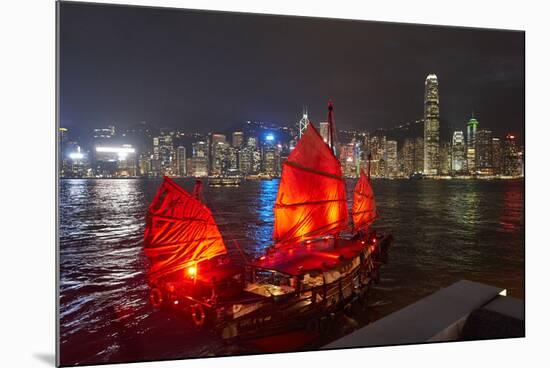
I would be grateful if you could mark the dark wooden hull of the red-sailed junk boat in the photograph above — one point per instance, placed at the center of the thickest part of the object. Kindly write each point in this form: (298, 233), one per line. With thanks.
(246, 315)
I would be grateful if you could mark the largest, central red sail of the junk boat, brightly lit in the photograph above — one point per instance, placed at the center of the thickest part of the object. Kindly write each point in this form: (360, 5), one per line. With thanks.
(312, 194)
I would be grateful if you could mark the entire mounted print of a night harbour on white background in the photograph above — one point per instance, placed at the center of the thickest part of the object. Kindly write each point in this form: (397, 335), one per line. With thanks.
(235, 184)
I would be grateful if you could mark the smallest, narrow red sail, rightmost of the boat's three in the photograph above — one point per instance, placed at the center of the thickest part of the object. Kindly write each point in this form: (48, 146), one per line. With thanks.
(364, 206)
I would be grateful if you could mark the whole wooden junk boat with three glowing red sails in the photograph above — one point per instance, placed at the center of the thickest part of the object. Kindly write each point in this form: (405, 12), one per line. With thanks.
(318, 267)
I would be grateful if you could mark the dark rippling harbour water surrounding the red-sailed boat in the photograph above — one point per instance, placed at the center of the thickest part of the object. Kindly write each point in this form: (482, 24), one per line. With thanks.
(444, 231)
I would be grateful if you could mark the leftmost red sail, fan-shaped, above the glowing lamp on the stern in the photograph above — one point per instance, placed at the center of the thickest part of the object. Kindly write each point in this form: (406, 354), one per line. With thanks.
(180, 231)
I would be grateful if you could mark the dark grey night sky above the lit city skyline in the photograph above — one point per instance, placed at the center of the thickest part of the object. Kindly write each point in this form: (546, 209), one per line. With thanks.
(204, 71)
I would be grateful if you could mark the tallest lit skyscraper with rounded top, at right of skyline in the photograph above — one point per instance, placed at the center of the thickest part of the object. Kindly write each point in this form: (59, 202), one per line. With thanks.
(431, 125)
